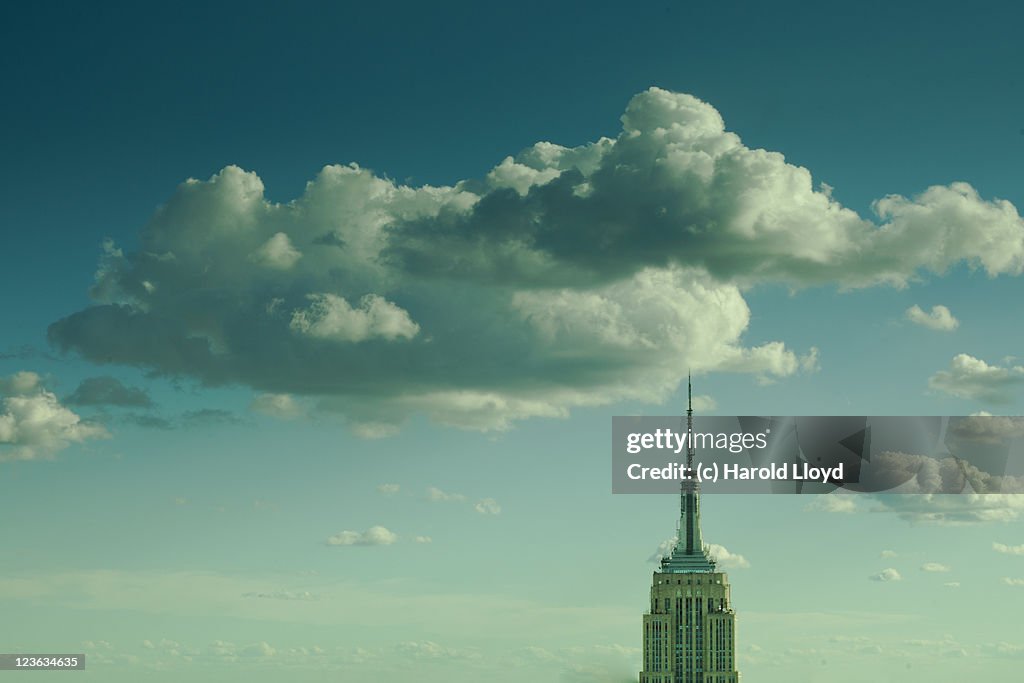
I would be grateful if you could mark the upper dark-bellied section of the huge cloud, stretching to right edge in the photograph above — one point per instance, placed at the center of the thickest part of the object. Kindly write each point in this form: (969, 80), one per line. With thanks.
(675, 188)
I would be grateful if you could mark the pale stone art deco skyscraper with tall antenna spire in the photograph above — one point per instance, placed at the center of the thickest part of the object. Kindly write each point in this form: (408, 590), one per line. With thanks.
(690, 633)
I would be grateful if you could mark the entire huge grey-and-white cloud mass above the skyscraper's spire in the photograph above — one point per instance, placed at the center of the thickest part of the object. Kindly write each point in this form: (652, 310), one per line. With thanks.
(567, 277)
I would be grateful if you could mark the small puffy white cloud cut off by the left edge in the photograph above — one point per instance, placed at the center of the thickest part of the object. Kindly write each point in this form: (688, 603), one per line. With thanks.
(34, 424)
